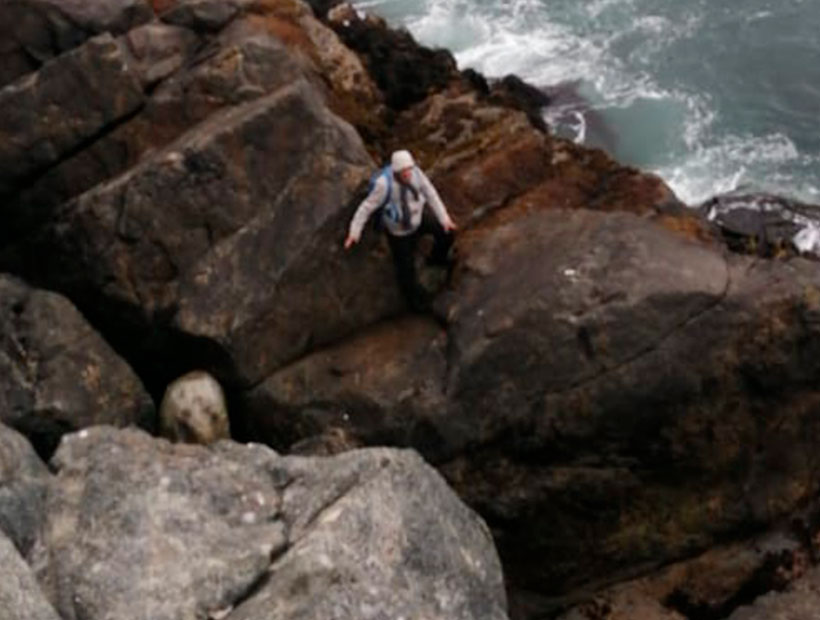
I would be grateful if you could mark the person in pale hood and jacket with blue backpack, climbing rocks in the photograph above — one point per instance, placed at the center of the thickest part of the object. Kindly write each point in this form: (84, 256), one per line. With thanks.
(398, 194)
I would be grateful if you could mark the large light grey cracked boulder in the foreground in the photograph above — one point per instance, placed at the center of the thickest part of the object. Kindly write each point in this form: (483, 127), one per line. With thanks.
(139, 528)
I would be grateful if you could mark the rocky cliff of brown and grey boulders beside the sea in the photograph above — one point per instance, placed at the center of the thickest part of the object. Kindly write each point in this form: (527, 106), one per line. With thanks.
(613, 381)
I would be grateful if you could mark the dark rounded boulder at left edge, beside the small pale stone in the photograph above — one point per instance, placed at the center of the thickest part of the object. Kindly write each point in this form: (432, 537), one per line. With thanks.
(56, 373)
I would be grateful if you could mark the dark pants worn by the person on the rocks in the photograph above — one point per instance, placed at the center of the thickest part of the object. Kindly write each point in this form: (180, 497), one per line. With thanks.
(404, 251)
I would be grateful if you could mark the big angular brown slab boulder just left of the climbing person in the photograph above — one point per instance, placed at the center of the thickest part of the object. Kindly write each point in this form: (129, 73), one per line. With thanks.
(229, 238)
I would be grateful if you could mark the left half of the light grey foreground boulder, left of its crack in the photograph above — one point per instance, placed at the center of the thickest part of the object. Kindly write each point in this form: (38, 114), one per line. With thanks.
(139, 528)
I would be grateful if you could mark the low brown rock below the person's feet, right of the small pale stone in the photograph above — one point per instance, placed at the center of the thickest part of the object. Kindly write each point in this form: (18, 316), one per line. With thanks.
(383, 387)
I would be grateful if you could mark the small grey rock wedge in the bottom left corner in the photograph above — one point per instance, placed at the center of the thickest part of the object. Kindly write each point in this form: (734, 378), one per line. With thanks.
(20, 595)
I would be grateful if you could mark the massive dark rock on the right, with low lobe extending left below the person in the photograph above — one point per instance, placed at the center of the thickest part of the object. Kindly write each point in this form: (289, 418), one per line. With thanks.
(609, 393)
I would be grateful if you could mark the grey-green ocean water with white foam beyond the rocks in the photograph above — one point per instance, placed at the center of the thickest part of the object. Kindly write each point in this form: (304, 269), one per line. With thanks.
(714, 96)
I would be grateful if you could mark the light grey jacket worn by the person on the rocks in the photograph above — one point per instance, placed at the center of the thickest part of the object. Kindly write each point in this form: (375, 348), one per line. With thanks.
(427, 194)
